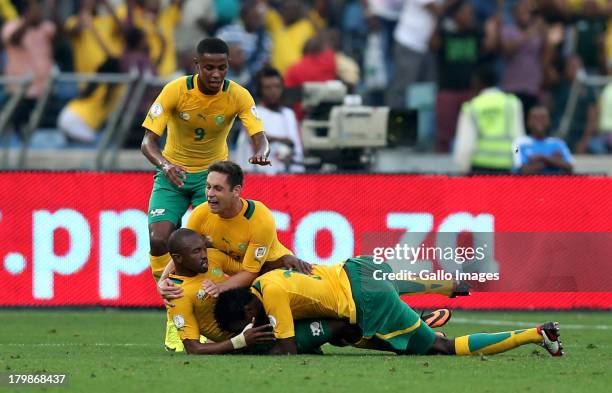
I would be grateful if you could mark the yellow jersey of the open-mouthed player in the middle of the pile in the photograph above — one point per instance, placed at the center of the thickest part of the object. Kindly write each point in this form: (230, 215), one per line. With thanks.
(249, 237)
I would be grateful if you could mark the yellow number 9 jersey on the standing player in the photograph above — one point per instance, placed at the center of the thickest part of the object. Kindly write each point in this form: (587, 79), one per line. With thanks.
(198, 123)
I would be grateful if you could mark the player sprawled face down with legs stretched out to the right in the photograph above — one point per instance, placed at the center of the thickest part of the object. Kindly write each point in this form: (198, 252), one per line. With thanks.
(350, 292)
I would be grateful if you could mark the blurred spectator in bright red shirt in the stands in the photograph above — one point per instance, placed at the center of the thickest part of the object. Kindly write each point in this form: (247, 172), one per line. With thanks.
(317, 65)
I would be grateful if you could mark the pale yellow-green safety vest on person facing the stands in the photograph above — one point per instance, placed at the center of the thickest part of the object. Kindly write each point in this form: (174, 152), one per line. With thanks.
(493, 114)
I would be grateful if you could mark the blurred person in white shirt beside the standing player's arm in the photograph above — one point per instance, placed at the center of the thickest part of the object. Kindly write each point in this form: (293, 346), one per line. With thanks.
(286, 153)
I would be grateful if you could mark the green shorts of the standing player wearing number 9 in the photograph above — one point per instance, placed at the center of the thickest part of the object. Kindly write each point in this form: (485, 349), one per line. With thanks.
(169, 203)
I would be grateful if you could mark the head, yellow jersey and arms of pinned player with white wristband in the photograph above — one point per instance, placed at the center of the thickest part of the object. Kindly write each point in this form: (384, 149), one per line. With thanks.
(192, 314)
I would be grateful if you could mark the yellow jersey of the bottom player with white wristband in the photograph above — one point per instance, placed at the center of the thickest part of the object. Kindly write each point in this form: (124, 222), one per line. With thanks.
(193, 314)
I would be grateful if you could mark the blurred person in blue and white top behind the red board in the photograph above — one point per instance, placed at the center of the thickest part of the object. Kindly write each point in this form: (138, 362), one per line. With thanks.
(539, 153)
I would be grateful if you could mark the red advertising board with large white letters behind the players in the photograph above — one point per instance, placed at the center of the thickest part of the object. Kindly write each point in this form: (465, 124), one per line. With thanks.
(80, 238)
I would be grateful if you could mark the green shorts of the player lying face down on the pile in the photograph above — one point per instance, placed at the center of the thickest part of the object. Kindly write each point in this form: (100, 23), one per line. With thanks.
(380, 311)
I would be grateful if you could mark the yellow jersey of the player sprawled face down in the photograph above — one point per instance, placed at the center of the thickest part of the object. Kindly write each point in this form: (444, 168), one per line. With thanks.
(287, 295)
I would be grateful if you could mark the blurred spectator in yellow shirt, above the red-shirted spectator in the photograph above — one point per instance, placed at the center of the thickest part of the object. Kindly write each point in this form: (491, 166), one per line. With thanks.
(289, 31)
